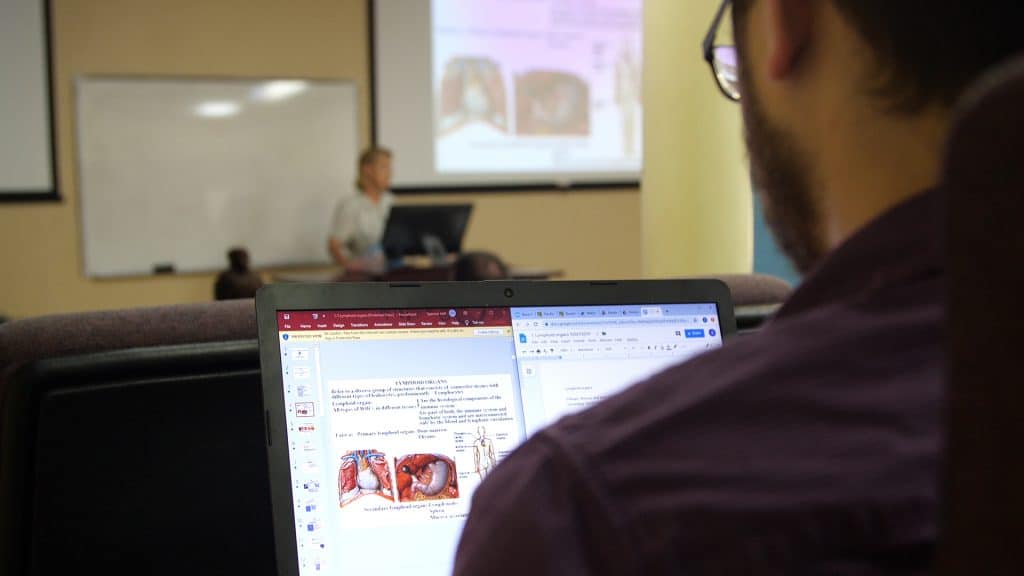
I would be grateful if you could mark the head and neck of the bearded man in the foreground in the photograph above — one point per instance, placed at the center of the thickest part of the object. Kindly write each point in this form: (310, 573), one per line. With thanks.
(847, 104)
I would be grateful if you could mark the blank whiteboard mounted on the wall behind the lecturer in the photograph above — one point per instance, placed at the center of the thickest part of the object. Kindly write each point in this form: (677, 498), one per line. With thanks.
(174, 173)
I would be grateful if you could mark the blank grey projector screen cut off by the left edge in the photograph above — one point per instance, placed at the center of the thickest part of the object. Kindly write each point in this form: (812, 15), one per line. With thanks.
(26, 145)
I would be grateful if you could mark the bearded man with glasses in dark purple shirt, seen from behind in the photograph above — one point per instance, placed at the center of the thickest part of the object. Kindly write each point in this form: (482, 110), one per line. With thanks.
(814, 446)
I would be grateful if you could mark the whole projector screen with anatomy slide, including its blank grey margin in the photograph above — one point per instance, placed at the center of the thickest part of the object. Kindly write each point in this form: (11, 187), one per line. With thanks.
(506, 93)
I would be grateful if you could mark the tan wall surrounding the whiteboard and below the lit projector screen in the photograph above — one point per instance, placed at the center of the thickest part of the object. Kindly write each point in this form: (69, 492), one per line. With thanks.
(588, 235)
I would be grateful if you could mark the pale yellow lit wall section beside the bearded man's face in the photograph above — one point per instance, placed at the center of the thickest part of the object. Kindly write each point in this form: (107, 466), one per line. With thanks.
(698, 209)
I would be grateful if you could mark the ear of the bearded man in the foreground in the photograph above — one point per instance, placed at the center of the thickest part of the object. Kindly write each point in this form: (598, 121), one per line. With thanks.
(790, 33)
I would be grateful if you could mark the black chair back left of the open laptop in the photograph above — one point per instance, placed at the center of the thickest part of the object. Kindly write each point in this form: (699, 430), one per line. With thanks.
(138, 462)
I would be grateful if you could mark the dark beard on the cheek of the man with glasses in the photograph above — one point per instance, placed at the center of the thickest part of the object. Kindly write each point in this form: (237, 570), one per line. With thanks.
(783, 178)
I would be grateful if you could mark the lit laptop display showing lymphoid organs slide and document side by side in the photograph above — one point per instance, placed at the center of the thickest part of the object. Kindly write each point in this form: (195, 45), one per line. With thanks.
(396, 418)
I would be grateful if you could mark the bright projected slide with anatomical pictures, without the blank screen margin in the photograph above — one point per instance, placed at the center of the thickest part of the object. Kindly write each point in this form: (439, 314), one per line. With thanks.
(544, 87)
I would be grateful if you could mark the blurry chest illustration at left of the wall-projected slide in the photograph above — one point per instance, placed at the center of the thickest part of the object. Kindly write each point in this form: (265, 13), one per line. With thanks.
(473, 91)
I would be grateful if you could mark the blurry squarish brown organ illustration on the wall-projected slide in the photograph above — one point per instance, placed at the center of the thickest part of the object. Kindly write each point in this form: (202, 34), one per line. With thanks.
(552, 104)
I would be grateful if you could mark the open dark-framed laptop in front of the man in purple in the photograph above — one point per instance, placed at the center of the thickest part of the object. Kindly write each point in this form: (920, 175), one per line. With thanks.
(388, 405)
